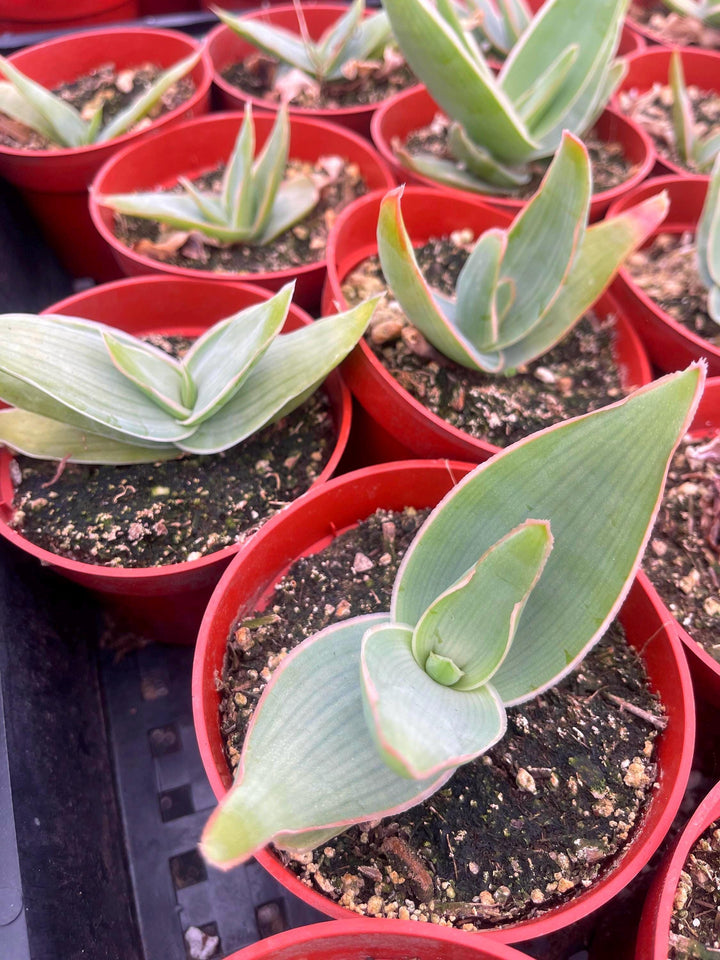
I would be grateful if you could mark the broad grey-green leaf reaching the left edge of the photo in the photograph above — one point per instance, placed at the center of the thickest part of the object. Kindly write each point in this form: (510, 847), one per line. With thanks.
(59, 367)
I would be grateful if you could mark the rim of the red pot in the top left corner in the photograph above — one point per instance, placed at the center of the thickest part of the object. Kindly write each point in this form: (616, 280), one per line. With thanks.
(202, 88)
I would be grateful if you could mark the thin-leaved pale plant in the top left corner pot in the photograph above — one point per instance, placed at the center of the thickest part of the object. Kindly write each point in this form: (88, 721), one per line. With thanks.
(52, 117)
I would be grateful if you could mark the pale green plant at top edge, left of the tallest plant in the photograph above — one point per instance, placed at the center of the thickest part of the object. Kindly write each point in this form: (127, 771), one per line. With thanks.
(354, 37)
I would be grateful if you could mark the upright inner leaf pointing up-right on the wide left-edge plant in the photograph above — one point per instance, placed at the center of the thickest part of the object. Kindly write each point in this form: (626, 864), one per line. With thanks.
(218, 365)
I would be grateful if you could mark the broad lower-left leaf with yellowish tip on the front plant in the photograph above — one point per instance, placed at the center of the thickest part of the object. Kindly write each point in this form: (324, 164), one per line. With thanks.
(334, 767)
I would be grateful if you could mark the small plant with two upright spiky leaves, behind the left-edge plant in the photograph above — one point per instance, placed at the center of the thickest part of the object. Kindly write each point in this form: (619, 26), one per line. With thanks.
(254, 204)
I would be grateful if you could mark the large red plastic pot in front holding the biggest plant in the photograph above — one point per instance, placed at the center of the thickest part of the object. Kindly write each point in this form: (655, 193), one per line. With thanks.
(309, 525)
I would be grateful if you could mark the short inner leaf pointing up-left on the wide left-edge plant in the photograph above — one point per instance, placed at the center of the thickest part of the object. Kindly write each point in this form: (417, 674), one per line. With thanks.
(158, 375)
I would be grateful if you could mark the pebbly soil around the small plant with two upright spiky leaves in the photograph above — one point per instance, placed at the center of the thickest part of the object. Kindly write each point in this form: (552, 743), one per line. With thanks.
(340, 183)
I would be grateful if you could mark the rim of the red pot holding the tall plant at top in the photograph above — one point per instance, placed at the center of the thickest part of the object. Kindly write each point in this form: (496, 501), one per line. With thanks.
(600, 200)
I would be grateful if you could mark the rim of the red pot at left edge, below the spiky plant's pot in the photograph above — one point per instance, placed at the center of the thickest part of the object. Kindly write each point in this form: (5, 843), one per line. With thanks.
(151, 575)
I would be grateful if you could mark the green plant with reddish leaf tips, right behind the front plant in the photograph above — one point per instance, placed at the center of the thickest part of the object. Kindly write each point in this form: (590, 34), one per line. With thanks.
(522, 289)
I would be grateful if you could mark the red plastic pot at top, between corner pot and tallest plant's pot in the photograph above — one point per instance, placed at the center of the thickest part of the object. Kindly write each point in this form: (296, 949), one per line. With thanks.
(226, 48)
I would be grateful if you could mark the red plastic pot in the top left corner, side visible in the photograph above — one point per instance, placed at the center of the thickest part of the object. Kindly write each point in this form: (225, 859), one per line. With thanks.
(55, 182)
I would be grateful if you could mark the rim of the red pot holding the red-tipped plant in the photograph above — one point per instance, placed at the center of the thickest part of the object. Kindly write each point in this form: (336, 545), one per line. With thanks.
(363, 356)
